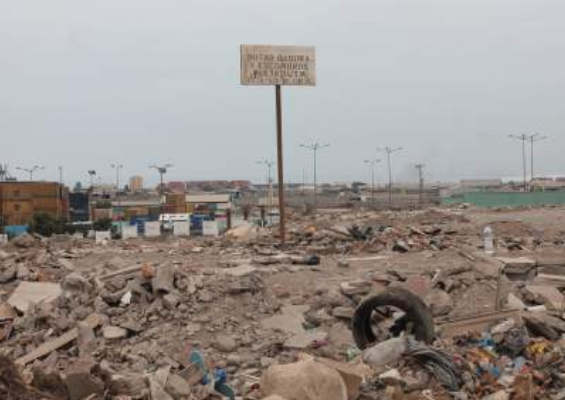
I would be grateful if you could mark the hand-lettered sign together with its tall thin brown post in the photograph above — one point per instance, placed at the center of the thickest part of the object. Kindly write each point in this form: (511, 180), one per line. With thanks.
(263, 65)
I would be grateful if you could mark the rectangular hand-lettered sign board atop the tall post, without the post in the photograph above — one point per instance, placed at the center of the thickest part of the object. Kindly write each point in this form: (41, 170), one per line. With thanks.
(278, 65)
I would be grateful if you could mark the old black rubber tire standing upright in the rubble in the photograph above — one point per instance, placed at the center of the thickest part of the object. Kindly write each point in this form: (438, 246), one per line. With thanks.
(416, 311)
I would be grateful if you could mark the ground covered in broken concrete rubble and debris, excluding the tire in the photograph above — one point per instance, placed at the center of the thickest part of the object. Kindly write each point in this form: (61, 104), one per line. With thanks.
(239, 317)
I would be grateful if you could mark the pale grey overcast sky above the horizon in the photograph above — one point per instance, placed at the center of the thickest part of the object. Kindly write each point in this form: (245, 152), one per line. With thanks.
(86, 83)
